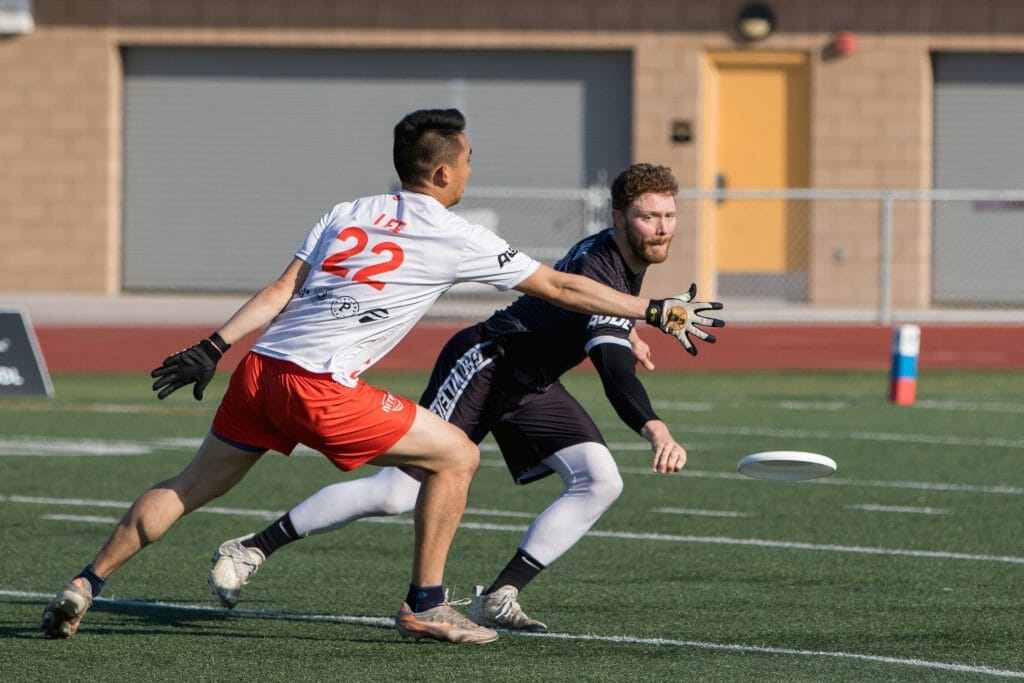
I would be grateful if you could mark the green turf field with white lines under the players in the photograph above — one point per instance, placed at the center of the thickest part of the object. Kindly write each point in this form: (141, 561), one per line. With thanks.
(905, 566)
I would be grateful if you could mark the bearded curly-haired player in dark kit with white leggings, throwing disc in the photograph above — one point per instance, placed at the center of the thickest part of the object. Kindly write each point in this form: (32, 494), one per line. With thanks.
(502, 377)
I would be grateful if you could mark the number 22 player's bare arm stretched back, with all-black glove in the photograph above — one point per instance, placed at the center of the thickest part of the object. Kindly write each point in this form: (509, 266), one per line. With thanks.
(198, 364)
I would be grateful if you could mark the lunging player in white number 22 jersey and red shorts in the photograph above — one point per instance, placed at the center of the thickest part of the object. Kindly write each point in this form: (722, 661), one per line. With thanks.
(362, 279)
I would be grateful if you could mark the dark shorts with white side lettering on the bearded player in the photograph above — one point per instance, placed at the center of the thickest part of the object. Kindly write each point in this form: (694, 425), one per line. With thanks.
(476, 388)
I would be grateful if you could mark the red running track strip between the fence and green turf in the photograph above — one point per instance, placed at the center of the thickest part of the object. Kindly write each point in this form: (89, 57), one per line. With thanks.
(740, 348)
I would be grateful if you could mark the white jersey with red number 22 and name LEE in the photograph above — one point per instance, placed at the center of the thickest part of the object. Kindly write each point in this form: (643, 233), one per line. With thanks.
(376, 266)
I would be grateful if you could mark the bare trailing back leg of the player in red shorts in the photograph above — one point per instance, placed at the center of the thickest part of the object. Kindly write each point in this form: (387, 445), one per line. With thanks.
(215, 471)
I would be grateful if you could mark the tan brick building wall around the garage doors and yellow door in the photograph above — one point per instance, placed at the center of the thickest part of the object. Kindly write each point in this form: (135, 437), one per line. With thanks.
(61, 105)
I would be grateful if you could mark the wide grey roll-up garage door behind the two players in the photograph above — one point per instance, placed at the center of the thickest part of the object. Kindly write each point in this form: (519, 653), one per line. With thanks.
(231, 155)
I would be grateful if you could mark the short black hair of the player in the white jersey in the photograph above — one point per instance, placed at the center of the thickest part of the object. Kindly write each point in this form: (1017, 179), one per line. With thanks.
(424, 140)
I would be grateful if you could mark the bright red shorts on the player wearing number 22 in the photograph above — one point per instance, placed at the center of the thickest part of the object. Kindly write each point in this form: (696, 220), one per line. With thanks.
(277, 405)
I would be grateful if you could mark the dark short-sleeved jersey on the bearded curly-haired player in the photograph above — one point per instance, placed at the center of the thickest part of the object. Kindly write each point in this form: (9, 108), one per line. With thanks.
(542, 341)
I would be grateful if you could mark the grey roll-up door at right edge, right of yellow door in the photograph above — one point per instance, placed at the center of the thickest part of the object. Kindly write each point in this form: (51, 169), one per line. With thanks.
(979, 145)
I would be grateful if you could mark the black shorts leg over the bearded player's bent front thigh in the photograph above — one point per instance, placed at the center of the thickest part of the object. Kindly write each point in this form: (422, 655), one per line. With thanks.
(544, 425)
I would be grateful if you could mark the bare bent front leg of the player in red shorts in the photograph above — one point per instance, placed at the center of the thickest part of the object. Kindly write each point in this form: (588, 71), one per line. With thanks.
(449, 460)
